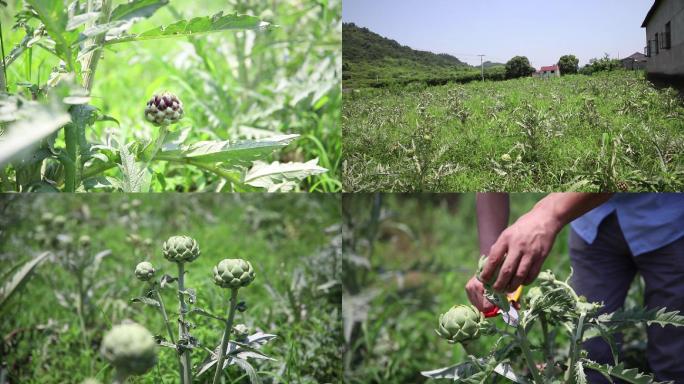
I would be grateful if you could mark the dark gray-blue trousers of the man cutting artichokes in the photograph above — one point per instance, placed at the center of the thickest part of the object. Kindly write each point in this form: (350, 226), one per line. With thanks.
(604, 271)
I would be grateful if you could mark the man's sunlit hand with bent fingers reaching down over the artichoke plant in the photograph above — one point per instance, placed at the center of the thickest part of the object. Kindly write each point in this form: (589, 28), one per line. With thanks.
(525, 245)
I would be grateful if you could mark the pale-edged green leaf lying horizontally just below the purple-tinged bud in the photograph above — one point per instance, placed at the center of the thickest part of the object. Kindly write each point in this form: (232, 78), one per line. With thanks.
(233, 152)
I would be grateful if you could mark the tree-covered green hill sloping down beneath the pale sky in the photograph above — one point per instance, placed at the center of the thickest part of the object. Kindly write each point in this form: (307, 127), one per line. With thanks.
(371, 60)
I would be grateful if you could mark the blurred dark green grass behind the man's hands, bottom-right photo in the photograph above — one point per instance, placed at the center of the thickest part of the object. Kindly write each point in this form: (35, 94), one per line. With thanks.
(411, 264)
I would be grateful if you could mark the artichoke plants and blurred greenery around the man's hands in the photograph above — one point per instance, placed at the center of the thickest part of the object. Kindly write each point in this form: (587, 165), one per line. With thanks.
(406, 261)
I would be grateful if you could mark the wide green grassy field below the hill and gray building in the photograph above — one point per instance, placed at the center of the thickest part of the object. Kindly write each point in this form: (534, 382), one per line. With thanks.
(607, 132)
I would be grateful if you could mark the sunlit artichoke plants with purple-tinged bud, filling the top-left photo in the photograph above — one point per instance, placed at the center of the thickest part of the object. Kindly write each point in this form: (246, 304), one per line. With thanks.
(153, 95)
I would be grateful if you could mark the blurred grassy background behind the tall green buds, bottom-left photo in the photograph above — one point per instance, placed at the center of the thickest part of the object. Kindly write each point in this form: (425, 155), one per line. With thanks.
(292, 242)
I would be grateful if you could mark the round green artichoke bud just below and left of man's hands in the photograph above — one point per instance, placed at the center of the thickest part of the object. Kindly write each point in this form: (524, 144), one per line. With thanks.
(461, 323)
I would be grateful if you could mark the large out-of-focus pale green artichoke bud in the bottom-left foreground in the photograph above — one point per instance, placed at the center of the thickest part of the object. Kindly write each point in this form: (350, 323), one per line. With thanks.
(130, 348)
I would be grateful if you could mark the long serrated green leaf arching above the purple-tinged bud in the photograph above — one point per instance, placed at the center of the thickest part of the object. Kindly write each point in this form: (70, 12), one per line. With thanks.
(194, 26)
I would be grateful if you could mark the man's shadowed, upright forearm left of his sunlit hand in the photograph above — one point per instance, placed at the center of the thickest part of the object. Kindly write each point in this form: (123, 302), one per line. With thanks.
(493, 210)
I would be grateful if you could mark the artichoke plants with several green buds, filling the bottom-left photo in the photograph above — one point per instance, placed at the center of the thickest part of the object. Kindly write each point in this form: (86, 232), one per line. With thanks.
(186, 289)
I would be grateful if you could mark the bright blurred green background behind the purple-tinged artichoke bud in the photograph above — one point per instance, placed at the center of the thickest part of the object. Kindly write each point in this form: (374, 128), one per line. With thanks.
(242, 84)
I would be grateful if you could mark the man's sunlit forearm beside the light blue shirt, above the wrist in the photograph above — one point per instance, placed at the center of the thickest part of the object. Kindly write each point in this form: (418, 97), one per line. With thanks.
(564, 207)
